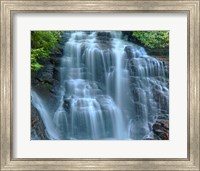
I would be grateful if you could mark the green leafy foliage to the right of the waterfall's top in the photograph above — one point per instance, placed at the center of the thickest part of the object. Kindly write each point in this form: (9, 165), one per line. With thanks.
(152, 39)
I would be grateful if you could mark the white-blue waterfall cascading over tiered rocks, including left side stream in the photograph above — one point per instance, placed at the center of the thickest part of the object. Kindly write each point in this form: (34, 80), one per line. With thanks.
(109, 89)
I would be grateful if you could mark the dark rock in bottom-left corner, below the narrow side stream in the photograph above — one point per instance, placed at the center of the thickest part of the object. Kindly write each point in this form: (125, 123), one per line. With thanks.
(38, 129)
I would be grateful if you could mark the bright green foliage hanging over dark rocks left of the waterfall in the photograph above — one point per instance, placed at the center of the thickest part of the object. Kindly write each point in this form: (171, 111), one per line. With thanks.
(42, 43)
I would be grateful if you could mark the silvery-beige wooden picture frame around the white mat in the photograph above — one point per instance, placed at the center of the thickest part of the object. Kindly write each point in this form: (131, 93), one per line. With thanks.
(10, 8)
